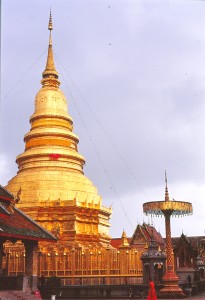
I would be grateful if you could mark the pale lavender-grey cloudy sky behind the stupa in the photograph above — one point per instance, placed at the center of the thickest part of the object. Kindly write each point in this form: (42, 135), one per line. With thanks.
(133, 73)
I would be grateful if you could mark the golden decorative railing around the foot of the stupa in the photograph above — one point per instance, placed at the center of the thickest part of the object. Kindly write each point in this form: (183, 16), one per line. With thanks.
(75, 266)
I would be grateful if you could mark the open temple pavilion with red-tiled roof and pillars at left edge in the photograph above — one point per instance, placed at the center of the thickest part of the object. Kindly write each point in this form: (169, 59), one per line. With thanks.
(17, 226)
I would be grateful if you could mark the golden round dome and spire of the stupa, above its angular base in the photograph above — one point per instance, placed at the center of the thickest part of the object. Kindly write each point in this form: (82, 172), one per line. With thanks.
(51, 168)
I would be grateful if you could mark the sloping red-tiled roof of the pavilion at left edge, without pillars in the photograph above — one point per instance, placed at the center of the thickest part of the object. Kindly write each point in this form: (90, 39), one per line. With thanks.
(14, 224)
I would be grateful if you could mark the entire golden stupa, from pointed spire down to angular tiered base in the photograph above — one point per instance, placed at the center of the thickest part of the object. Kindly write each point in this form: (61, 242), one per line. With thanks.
(50, 181)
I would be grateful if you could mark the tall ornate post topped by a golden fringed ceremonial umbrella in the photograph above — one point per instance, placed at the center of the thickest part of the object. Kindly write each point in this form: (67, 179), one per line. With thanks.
(168, 208)
